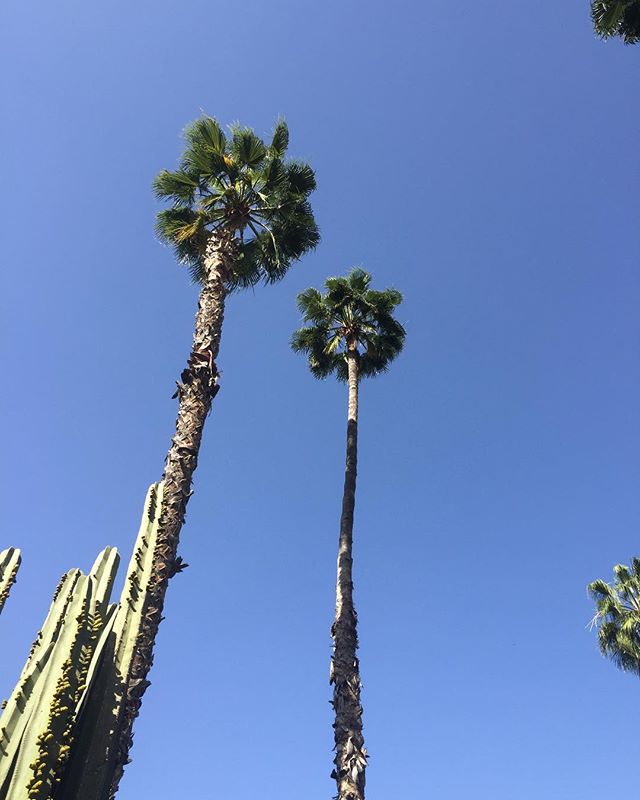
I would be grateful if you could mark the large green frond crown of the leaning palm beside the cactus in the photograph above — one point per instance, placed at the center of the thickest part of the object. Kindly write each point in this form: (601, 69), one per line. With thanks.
(239, 185)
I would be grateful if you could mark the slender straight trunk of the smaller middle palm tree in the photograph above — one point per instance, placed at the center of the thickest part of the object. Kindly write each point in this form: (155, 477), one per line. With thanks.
(351, 756)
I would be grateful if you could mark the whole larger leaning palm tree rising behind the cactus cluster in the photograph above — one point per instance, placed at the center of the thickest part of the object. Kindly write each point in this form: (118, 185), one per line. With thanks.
(239, 215)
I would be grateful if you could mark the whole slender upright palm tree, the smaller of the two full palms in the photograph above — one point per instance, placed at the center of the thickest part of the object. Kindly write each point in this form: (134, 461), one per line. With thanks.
(353, 334)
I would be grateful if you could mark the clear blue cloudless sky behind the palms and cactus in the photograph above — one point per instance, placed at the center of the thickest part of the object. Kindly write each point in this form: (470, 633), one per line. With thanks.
(482, 158)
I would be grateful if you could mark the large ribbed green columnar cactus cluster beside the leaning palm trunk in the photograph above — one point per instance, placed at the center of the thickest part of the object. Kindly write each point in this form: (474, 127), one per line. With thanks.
(61, 730)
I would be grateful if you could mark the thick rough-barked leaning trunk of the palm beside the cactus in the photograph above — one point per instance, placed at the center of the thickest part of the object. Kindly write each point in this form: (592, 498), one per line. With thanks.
(196, 390)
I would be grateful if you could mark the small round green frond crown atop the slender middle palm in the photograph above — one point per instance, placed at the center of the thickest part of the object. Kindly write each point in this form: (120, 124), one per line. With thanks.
(349, 318)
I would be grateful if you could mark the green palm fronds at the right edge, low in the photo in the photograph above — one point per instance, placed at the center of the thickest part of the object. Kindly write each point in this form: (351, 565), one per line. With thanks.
(618, 616)
